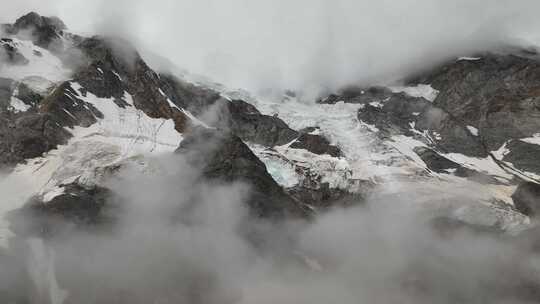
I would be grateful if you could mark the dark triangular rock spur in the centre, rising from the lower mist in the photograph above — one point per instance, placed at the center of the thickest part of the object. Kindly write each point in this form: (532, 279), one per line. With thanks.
(223, 157)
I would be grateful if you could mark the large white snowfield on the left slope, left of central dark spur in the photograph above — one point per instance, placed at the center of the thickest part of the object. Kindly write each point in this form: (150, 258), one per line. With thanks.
(123, 136)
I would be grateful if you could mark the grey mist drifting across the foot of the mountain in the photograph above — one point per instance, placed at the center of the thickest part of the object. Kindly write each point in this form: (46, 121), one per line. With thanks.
(176, 238)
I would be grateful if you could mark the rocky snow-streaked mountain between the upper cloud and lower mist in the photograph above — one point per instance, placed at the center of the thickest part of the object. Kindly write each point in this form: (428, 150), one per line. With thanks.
(461, 140)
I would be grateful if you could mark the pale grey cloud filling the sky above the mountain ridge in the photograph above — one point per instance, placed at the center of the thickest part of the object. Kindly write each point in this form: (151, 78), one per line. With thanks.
(309, 46)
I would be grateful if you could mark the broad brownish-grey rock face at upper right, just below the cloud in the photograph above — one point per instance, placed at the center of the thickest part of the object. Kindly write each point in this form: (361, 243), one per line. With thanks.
(497, 94)
